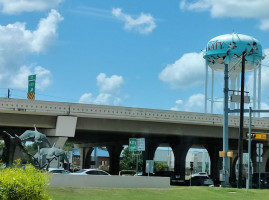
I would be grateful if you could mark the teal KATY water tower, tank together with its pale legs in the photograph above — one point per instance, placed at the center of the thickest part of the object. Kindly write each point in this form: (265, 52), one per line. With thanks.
(228, 49)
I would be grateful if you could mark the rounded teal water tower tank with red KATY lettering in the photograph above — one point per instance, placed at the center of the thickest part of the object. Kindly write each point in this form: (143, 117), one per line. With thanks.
(228, 48)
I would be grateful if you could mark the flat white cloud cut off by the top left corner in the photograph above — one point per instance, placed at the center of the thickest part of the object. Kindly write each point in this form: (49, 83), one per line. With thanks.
(19, 6)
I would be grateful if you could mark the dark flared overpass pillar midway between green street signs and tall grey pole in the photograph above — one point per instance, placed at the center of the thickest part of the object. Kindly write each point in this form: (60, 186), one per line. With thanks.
(180, 151)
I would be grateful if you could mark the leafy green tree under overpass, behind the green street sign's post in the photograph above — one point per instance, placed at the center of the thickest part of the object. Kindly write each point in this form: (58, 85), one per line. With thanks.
(128, 161)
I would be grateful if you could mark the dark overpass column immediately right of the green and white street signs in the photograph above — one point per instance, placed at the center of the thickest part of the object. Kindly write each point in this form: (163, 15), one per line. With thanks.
(148, 154)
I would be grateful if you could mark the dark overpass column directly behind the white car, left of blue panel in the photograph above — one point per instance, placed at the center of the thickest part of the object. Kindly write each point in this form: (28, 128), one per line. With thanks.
(85, 156)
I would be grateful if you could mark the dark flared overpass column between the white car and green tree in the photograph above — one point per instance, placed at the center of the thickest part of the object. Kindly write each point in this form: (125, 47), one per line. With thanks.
(114, 158)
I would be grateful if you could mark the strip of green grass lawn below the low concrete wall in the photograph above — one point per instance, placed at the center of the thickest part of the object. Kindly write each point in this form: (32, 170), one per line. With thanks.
(177, 193)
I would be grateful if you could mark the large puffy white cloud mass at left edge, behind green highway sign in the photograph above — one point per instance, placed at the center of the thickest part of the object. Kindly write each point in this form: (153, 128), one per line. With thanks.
(17, 42)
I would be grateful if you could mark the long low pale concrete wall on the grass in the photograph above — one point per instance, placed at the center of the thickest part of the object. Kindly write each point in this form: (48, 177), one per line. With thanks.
(67, 180)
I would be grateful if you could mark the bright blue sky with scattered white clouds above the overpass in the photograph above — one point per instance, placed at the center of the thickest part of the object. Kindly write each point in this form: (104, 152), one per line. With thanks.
(120, 52)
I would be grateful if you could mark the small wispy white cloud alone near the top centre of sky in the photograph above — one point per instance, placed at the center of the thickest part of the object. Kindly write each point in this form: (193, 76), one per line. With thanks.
(144, 24)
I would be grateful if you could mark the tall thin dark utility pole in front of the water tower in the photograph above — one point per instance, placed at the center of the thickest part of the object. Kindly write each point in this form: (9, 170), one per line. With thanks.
(240, 140)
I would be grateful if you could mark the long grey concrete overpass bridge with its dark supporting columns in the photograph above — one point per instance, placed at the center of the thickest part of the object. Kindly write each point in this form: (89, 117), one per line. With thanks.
(94, 125)
